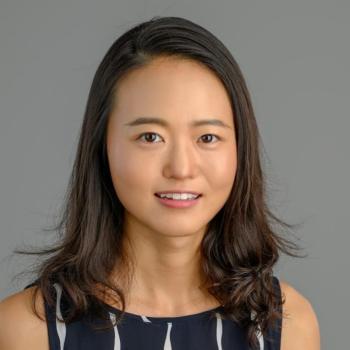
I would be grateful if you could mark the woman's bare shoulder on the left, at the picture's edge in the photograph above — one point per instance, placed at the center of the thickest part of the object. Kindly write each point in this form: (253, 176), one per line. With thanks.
(20, 328)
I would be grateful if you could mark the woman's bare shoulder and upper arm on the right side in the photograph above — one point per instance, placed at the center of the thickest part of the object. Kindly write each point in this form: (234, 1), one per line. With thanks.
(300, 327)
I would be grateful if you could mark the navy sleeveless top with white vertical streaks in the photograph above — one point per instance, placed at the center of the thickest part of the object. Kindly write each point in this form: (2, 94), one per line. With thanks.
(206, 330)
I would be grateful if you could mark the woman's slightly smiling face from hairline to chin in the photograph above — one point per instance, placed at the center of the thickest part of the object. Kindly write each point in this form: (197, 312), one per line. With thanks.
(173, 156)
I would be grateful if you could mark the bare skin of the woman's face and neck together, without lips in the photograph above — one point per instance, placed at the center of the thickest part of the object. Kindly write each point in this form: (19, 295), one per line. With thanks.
(164, 242)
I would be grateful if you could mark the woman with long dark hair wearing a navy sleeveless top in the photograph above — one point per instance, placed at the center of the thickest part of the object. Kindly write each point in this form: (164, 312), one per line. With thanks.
(165, 236)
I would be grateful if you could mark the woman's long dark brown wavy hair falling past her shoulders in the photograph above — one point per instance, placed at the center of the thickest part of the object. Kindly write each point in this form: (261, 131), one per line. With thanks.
(240, 246)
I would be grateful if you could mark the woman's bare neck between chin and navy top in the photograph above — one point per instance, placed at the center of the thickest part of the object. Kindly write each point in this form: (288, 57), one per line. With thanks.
(166, 274)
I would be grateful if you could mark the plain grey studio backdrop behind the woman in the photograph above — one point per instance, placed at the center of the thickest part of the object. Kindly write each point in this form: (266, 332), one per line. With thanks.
(295, 57)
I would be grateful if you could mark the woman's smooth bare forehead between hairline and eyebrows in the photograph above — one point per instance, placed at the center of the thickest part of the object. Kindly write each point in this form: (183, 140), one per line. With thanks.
(172, 89)
